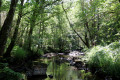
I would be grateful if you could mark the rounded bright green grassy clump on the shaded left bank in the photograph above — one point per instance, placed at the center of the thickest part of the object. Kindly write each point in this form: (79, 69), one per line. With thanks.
(19, 53)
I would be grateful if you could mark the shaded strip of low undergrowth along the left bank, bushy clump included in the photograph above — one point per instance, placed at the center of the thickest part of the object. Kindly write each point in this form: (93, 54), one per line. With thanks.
(19, 54)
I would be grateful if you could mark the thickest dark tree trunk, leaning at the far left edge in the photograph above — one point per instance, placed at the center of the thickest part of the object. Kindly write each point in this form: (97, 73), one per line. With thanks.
(6, 26)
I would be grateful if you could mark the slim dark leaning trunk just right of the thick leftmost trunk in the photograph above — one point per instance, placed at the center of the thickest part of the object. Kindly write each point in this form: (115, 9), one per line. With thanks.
(13, 40)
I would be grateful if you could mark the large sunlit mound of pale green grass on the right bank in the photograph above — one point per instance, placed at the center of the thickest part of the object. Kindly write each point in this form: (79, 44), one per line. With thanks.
(105, 61)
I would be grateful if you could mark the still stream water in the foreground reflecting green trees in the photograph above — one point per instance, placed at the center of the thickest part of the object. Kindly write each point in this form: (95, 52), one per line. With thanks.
(62, 71)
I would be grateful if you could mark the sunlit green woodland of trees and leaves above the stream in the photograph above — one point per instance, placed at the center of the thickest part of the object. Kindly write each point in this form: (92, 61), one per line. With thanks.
(58, 24)
